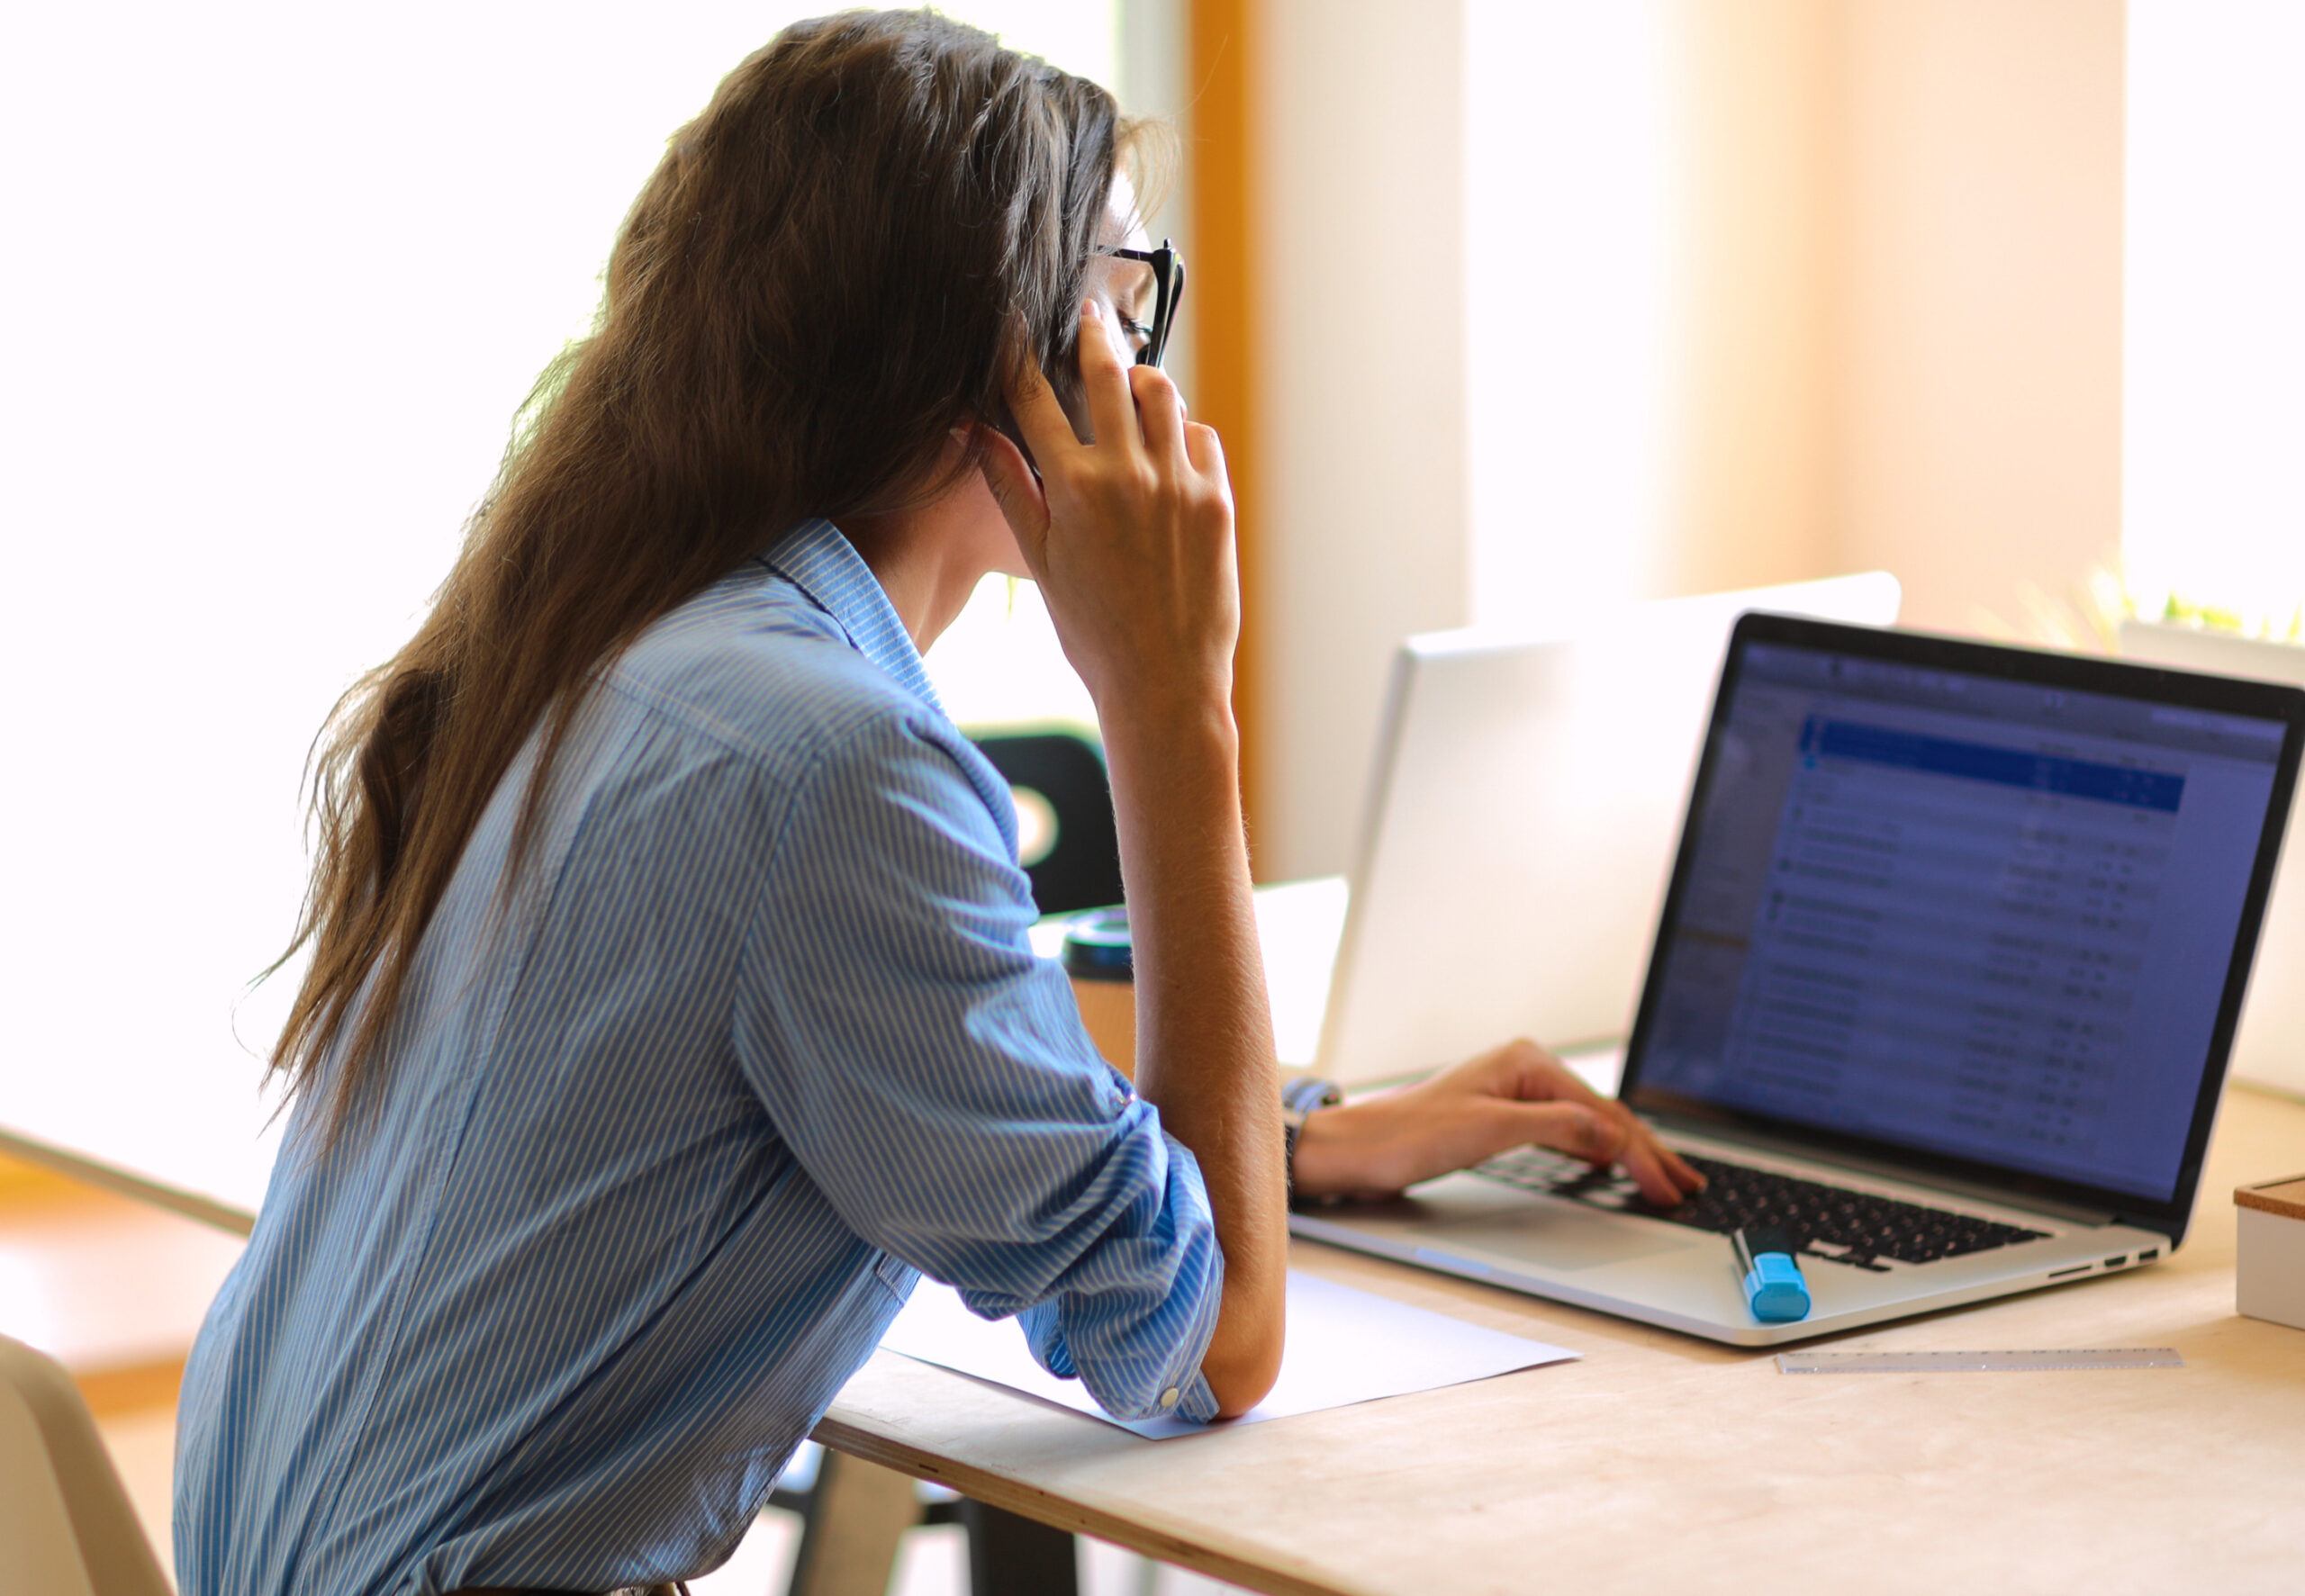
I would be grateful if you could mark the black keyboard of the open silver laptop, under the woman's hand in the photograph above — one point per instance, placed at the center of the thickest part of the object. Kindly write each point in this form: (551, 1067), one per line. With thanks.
(1834, 1224)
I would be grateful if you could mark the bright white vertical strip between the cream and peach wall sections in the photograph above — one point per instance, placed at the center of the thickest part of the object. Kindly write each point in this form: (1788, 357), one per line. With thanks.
(1573, 303)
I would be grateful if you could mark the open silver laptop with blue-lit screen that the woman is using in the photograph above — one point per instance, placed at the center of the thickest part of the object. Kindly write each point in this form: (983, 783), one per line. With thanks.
(1944, 987)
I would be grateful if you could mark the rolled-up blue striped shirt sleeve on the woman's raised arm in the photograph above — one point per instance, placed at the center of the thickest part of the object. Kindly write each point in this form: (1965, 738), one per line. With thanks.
(932, 1074)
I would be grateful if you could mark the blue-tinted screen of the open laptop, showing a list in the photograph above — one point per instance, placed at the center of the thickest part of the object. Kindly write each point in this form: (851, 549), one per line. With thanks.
(1970, 915)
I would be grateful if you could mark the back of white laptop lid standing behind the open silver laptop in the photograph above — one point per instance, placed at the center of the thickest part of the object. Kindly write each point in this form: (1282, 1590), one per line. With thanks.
(1520, 826)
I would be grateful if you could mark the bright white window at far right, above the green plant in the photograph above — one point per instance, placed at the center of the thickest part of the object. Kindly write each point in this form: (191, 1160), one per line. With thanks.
(2214, 406)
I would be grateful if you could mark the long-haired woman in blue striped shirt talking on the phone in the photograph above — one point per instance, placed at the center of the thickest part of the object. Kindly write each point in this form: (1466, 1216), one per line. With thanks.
(670, 996)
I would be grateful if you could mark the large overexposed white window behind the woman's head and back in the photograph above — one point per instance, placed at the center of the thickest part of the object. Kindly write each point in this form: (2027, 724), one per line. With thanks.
(280, 278)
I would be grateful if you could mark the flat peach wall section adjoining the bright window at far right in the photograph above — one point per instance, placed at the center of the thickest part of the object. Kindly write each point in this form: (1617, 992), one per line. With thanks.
(1979, 347)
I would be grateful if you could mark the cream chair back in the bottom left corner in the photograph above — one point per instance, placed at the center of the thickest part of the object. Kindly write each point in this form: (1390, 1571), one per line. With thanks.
(66, 1521)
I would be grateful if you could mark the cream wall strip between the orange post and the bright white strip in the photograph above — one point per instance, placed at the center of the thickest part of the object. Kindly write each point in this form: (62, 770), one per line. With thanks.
(1361, 395)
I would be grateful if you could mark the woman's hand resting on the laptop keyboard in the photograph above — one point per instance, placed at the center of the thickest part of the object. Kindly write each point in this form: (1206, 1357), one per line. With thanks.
(1511, 1097)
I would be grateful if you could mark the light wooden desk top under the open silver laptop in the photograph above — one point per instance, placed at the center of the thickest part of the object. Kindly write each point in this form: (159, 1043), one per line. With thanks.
(1672, 1464)
